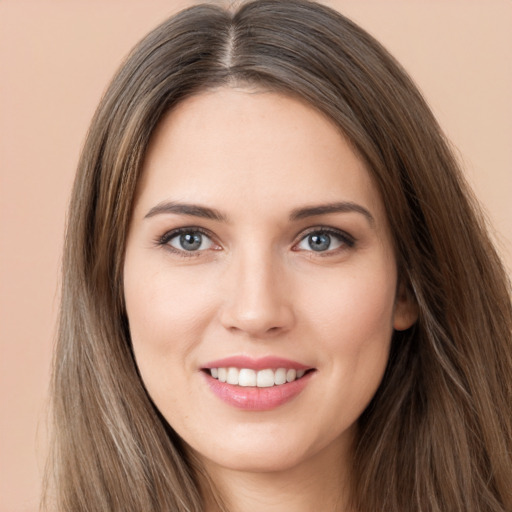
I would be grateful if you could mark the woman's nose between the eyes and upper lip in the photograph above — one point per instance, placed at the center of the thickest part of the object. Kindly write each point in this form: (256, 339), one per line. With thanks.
(258, 301)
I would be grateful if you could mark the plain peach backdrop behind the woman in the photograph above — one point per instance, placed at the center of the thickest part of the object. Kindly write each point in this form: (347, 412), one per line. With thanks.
(56, 58)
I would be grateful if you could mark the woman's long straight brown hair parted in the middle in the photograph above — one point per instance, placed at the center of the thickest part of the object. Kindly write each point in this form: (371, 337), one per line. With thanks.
(438, 434)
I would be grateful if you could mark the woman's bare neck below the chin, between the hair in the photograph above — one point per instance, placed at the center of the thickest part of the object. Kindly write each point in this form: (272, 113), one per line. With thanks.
(319, 483)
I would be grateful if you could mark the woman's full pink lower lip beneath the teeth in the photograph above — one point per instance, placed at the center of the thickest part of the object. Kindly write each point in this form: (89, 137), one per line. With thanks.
(257, 399)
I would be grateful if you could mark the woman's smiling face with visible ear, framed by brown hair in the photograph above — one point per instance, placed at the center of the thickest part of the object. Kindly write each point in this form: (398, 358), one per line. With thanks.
(258, 251)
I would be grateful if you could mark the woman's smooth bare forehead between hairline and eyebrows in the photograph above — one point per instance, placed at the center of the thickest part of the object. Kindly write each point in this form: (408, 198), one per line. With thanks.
(246, 147)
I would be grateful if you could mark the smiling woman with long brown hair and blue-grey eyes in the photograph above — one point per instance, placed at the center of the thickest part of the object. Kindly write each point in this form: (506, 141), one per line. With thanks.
(278, 292)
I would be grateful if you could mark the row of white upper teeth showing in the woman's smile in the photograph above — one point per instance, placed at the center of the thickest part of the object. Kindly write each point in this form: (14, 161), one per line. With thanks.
(262, 379)
